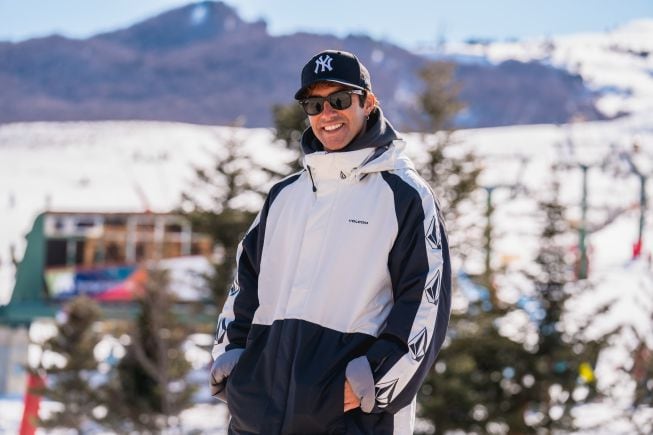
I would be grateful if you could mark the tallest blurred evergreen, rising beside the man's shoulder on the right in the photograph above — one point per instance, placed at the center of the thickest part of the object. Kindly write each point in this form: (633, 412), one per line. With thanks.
(464, 392)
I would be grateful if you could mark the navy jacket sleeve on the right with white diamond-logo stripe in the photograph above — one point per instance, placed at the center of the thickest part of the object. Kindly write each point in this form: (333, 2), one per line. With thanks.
(420, 272)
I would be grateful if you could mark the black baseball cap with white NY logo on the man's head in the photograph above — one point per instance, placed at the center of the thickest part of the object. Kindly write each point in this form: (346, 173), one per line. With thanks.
(334, 66)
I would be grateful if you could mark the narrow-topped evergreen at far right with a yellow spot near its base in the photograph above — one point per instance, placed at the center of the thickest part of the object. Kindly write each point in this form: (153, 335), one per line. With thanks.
(563, 363)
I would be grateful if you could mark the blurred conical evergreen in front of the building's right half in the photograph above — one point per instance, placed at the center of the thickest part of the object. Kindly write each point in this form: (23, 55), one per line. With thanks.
(149, 388)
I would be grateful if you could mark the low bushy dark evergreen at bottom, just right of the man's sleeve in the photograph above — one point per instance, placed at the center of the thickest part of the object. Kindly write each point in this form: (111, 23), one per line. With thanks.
(478, 377)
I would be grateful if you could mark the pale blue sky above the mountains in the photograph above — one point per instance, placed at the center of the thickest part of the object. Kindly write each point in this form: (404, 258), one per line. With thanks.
(410, 23)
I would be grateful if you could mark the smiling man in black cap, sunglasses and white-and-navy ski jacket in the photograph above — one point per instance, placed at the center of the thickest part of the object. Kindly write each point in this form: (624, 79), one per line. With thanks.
(342, 292)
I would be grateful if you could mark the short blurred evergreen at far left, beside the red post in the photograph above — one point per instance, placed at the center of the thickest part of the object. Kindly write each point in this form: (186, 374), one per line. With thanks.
(75, 383)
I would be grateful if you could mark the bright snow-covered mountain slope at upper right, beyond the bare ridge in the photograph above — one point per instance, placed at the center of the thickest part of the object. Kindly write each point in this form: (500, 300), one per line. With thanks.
(617, 65)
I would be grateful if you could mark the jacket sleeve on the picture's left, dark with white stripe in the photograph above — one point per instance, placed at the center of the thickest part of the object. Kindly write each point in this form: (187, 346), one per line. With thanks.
(236, 317)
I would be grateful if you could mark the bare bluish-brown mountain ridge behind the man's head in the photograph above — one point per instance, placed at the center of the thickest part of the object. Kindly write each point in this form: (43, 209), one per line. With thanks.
(202, 63)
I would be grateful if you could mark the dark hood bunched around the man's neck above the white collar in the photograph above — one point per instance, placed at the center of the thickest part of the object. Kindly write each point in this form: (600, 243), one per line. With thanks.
(378, 132)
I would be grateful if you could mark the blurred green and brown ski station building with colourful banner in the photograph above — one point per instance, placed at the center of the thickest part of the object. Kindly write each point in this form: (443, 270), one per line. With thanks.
(104, 256)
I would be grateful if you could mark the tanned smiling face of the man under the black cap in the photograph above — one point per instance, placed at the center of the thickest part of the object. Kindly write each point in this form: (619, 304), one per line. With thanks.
(335, 129)
